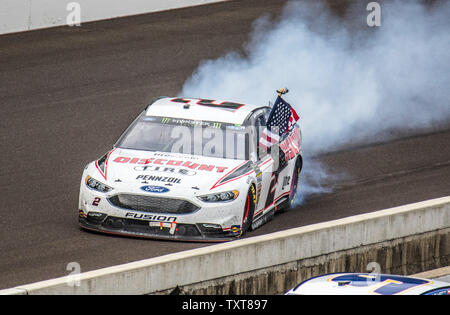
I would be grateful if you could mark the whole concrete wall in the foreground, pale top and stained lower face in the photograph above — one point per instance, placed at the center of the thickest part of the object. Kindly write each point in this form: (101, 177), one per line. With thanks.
(404, 240)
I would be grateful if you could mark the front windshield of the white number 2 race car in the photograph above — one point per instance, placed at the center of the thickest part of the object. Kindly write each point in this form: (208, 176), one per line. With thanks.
(194, 137)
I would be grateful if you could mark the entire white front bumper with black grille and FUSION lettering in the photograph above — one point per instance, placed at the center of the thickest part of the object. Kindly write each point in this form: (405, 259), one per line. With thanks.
(173, 216)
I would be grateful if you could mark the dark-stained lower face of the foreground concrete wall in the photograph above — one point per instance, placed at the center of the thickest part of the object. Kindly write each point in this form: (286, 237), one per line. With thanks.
(404, 256)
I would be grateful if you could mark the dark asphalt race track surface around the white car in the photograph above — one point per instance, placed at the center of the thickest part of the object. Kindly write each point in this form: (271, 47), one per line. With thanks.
(66, 94)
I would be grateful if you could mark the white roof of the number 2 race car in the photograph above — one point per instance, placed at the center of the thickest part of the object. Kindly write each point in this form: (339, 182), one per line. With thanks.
(201, 109)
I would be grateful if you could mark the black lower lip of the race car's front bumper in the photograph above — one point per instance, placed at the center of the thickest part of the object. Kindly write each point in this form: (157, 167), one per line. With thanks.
(155, 230)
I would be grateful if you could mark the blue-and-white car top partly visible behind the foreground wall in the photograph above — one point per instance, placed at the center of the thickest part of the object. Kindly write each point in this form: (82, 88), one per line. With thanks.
(366, 283)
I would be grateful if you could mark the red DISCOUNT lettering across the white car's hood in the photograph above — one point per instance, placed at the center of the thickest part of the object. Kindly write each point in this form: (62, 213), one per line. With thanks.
(158, 161)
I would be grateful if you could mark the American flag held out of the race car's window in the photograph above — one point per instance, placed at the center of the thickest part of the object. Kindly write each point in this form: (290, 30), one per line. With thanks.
(280, 121)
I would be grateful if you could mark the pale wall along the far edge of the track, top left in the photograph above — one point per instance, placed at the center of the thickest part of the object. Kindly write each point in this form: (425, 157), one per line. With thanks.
(24, 15)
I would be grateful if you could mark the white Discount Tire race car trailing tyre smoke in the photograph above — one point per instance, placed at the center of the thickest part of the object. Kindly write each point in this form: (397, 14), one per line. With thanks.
(191, 169)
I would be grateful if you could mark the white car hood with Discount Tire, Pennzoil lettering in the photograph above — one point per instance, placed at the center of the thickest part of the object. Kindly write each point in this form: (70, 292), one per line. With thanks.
(162, 172)
